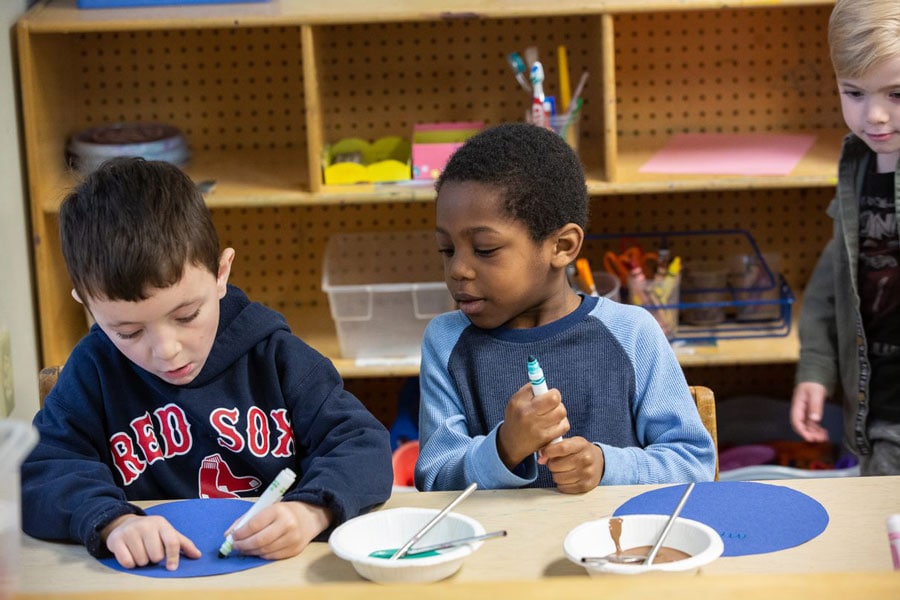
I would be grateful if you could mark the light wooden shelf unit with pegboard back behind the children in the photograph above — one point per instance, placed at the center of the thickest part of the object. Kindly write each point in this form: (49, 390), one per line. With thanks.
(259, 89)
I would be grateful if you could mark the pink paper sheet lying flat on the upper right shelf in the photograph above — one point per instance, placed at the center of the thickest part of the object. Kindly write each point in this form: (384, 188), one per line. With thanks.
(730, 154)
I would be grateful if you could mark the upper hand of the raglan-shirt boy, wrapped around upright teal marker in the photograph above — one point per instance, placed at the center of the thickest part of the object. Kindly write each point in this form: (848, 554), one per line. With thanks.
(530, 422)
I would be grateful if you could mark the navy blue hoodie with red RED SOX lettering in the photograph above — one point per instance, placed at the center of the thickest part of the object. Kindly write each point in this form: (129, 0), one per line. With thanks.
(111, 432)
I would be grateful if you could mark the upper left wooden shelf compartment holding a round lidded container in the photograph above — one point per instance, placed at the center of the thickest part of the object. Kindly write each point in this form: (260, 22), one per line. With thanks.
(237, 94)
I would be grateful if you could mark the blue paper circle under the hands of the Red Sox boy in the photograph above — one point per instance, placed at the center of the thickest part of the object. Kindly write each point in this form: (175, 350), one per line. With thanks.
(204, 521)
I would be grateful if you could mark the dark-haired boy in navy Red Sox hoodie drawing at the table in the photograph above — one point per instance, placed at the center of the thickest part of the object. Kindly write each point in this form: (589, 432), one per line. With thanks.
(185, 389)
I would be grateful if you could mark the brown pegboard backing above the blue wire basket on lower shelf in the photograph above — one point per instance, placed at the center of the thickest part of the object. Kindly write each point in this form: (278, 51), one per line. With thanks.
(790, 222)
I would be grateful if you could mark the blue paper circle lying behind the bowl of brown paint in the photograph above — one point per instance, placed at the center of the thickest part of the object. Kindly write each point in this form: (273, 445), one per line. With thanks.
(752, 518)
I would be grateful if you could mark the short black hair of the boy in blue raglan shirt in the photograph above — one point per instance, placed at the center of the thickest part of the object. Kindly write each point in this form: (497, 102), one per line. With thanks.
(539, 175)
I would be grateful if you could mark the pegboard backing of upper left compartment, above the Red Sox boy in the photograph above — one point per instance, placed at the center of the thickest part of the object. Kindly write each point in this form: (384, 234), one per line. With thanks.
(229, 90)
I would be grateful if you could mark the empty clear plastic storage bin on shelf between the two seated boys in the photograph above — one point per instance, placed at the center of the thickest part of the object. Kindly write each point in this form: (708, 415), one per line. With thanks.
(383, 289)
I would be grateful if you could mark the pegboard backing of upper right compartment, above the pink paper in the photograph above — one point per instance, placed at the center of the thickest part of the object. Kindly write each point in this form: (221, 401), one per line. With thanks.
(724, 71)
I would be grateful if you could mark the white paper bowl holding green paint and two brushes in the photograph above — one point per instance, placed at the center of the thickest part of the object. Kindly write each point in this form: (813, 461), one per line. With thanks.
(391, 528)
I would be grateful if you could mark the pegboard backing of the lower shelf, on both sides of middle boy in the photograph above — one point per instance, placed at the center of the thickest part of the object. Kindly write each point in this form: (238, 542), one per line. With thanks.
(280, 250)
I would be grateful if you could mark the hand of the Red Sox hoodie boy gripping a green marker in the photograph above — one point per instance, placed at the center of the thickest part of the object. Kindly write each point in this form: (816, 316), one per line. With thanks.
(281, 530)
